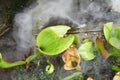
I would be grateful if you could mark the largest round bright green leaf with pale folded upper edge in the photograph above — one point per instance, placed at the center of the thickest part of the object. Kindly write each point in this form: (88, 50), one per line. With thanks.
(50, 41)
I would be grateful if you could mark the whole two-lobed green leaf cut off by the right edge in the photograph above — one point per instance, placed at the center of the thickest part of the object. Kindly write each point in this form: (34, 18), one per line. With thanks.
(112, 35)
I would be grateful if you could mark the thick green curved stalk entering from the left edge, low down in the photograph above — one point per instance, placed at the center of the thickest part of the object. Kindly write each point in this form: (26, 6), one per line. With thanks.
(4, 64)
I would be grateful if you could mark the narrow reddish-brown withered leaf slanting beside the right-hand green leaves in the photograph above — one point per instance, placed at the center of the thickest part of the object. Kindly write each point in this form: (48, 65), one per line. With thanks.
(100, 46)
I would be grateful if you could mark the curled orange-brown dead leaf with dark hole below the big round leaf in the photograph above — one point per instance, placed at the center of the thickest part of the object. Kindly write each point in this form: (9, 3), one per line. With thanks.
(71, 59)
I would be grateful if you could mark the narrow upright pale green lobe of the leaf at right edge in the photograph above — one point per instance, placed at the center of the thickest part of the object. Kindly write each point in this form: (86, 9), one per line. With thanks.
(107, 30)
